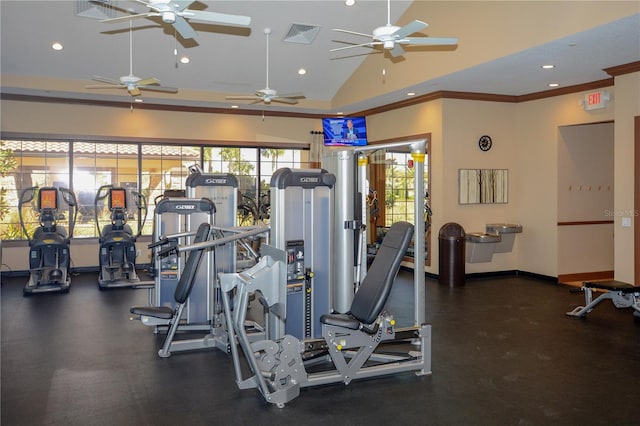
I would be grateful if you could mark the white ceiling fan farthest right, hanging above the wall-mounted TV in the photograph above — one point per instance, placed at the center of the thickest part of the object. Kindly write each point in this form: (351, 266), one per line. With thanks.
(392, 37)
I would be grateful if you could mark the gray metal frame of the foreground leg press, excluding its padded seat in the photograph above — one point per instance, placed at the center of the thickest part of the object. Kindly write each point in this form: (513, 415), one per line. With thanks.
(277, 367)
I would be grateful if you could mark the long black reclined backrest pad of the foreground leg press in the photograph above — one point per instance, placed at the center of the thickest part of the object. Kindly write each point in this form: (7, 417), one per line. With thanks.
(374, 291)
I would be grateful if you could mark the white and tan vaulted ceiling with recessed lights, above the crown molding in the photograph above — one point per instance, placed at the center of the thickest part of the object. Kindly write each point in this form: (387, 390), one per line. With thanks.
(501, 48)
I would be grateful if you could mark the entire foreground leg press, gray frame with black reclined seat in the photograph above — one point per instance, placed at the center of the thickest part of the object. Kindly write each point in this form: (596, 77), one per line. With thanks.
(278, 368)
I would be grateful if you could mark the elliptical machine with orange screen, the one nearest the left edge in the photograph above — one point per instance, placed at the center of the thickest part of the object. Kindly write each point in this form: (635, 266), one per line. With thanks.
(49, 259)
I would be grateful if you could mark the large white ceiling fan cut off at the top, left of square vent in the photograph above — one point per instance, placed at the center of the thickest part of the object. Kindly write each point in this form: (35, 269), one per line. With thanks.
(176, 13)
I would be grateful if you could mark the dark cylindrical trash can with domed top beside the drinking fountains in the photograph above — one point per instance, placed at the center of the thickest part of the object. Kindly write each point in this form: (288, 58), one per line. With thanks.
(451, 244)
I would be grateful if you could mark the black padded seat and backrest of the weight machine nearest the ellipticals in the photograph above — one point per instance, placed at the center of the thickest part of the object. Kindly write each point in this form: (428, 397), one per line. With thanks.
(185, 284)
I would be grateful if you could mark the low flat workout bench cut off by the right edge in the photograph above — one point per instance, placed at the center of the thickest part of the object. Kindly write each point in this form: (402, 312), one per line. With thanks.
(623, 295)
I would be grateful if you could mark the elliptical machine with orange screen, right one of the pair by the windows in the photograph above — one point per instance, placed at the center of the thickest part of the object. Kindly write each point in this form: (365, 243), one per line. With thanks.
(117, 240)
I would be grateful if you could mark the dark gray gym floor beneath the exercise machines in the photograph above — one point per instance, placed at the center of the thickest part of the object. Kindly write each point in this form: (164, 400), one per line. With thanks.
(504, 353)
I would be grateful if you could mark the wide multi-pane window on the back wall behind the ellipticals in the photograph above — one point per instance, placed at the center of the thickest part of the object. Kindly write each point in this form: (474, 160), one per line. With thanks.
(84, 166)
